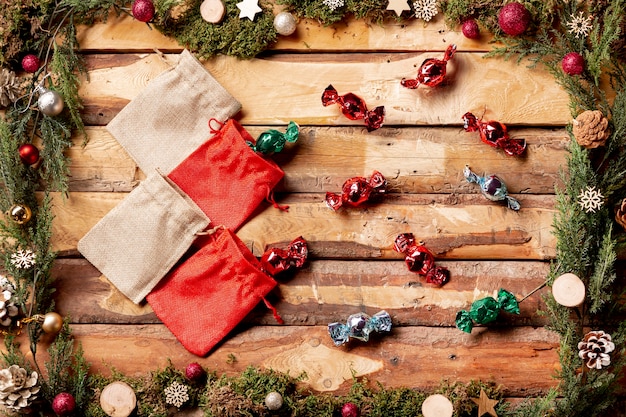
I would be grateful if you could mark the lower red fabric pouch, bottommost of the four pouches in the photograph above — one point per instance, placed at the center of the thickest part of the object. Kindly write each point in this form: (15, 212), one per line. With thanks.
(207, 295)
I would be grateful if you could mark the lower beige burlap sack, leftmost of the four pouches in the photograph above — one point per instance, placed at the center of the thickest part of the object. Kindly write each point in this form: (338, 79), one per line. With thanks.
(141, 239)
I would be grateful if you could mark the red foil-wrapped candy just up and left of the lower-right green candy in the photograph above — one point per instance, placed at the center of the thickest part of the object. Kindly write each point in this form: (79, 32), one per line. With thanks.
(420, 260)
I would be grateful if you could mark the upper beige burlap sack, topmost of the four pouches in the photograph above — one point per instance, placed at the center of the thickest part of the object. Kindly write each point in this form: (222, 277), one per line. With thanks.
(169, 119)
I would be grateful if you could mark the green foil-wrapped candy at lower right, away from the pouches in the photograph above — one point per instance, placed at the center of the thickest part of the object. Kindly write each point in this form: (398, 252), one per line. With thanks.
(486, 310)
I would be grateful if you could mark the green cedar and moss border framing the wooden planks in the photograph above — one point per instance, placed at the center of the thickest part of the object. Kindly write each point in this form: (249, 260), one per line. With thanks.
(586, 242)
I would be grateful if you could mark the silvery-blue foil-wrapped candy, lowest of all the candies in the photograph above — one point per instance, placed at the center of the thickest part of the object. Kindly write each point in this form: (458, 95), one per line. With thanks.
(359, 326)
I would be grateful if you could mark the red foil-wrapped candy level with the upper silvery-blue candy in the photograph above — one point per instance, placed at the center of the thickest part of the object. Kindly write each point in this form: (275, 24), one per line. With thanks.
(358, 190)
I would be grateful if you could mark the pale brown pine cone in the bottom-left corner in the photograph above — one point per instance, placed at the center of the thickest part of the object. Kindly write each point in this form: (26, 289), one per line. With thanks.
(18, 390)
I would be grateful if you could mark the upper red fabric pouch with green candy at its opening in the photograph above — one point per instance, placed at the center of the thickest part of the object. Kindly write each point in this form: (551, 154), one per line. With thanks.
(226, 178)
